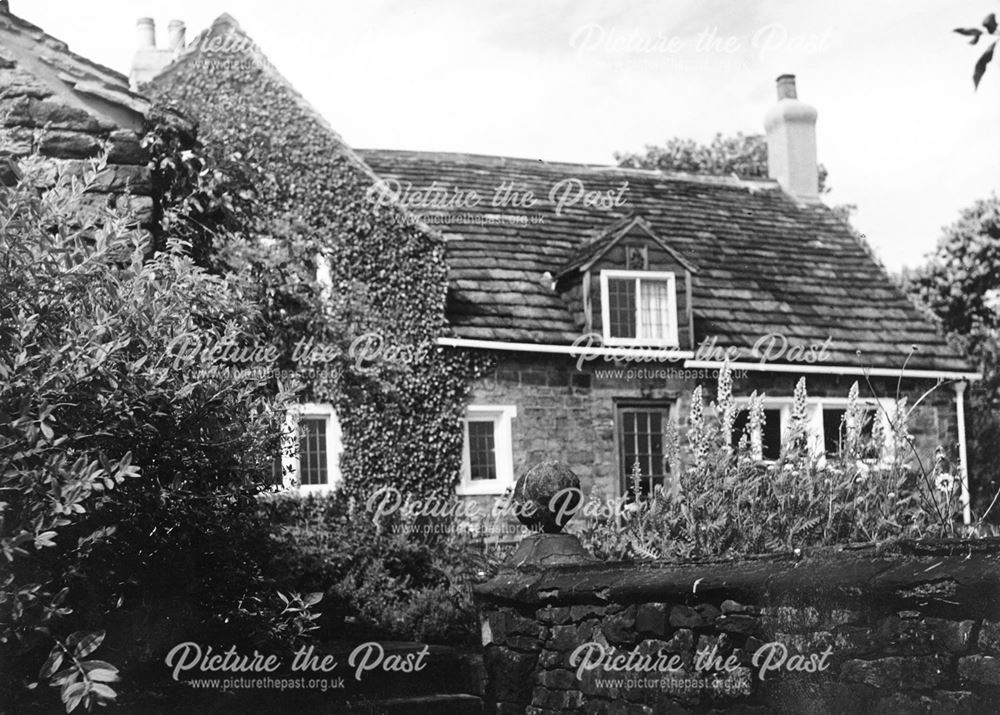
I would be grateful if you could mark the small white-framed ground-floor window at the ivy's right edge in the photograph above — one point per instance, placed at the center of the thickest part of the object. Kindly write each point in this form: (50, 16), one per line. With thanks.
(487, 454)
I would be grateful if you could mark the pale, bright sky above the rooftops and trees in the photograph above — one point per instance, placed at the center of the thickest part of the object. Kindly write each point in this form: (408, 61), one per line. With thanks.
(900, 129)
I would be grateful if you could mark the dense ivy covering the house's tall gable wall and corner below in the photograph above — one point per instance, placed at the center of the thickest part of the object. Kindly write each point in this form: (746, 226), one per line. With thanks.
(401, 419)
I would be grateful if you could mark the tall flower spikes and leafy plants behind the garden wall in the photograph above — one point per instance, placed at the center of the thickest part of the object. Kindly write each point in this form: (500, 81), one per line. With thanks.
(724, 500)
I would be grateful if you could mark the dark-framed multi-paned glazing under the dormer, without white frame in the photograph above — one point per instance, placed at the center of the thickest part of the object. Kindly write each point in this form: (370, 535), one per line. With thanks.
(641, 431)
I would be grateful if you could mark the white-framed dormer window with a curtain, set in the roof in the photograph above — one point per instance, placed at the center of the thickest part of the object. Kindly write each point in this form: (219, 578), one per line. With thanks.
(639, 308)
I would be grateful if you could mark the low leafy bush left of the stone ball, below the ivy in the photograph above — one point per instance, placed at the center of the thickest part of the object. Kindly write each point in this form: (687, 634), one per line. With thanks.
(379, 582)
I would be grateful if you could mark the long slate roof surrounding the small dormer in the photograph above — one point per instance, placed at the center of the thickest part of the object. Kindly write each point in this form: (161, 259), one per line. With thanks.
(767, 263)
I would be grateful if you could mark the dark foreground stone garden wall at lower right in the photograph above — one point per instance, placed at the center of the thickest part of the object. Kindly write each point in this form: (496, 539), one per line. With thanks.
(914, 629)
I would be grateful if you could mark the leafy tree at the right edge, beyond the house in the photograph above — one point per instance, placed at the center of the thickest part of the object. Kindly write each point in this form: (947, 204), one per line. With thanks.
(960, 284)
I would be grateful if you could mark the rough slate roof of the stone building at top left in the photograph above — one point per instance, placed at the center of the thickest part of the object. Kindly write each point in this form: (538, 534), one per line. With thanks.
(37, 68)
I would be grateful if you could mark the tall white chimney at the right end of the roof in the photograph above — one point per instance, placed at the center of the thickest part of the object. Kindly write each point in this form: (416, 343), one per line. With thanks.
(791, 142)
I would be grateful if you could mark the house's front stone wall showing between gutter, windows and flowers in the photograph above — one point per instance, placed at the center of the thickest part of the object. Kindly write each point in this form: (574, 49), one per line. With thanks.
(568, 414)
